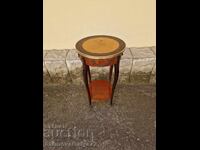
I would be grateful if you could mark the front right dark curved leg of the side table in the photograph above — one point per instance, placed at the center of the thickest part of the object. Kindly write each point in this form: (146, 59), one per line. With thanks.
(116, 67)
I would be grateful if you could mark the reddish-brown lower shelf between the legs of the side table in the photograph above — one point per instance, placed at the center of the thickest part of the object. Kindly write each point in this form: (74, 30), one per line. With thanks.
(100, 90)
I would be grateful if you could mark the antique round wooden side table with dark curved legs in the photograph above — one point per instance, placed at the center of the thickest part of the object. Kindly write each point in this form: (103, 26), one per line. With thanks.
(100, 51)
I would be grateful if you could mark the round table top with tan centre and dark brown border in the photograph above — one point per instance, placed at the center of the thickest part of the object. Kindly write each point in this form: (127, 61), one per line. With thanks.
(100, 47)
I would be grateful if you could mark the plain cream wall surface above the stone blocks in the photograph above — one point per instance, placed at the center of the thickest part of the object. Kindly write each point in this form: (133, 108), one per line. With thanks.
(67, 21)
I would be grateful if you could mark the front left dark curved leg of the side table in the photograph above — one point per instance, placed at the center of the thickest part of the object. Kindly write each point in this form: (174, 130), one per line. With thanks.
(85, 78)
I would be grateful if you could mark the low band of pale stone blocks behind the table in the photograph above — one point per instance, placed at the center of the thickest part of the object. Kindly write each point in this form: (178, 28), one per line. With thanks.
(137, 66)
